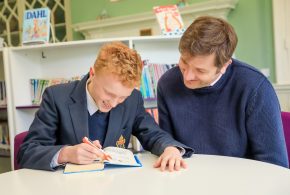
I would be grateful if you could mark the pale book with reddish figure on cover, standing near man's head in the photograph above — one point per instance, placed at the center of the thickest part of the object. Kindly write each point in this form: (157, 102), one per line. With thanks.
(169, 20)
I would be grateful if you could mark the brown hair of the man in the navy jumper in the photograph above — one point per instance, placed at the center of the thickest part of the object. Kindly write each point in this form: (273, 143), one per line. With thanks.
(209, 35)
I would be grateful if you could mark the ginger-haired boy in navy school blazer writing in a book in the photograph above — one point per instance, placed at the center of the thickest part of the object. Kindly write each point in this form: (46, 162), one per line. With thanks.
(104, 106)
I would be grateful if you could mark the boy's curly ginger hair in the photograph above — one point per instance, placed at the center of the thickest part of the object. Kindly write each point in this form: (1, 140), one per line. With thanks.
(119, 59)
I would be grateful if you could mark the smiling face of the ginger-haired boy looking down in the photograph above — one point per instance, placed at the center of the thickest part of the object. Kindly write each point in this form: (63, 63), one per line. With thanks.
(107, 91)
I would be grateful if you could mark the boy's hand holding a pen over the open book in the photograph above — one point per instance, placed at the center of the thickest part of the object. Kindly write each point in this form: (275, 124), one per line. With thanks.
(80, 154)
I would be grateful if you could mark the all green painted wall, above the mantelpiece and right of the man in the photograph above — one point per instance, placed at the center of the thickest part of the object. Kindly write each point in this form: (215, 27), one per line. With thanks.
(252, 20)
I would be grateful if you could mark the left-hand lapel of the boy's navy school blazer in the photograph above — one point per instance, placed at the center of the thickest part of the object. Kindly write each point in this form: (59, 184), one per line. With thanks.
(78, 110)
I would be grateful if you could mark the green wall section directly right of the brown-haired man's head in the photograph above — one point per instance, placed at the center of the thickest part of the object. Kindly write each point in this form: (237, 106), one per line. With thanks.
(253, 22)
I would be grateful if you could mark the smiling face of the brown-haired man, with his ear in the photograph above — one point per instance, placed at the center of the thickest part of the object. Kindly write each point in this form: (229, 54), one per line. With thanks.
(199, 71)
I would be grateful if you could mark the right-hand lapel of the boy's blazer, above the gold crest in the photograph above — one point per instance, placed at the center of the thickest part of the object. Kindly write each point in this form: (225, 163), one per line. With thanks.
(114, 126)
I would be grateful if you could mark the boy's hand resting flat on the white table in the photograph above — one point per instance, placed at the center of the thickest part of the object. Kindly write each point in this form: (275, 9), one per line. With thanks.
(172, 158)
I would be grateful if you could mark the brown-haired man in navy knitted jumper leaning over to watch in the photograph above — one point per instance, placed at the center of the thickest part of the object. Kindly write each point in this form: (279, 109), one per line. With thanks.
(218, 105)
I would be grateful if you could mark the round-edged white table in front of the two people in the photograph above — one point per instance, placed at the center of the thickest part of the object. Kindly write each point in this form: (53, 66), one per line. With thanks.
(206, 174)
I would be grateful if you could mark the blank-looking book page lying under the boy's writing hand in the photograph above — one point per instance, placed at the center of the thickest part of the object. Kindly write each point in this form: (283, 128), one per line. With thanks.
(74, 168)
